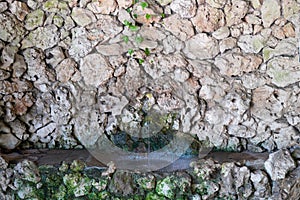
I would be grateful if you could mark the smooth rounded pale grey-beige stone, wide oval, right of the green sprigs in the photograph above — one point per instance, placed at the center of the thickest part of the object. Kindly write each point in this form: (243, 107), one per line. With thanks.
(201, 46)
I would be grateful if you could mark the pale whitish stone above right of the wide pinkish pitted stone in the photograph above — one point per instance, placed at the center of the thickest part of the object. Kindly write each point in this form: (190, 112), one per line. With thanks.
(251, 43)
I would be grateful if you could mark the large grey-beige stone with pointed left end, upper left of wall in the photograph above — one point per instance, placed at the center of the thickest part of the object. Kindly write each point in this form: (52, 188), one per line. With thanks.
(42, 37)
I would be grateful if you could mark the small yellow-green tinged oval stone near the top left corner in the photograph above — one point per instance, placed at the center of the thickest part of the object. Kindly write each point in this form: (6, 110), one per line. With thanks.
(34, 19)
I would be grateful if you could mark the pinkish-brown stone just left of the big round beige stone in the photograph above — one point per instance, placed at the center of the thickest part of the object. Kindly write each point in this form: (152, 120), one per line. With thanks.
(65, 70)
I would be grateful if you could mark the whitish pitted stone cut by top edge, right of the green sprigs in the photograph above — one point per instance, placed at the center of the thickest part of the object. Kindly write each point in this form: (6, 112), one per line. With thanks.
(185, 8)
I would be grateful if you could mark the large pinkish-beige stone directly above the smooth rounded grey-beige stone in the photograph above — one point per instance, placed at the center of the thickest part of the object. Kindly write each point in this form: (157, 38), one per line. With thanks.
(208, 19)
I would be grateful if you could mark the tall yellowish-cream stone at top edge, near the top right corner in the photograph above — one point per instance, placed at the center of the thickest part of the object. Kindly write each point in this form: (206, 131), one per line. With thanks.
(270, 11)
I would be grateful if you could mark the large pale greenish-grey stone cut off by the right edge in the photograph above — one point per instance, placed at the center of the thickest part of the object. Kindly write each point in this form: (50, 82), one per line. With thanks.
(284, 70)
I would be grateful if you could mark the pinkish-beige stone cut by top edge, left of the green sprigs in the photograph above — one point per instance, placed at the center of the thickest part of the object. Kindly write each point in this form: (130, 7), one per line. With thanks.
(102, 6)
